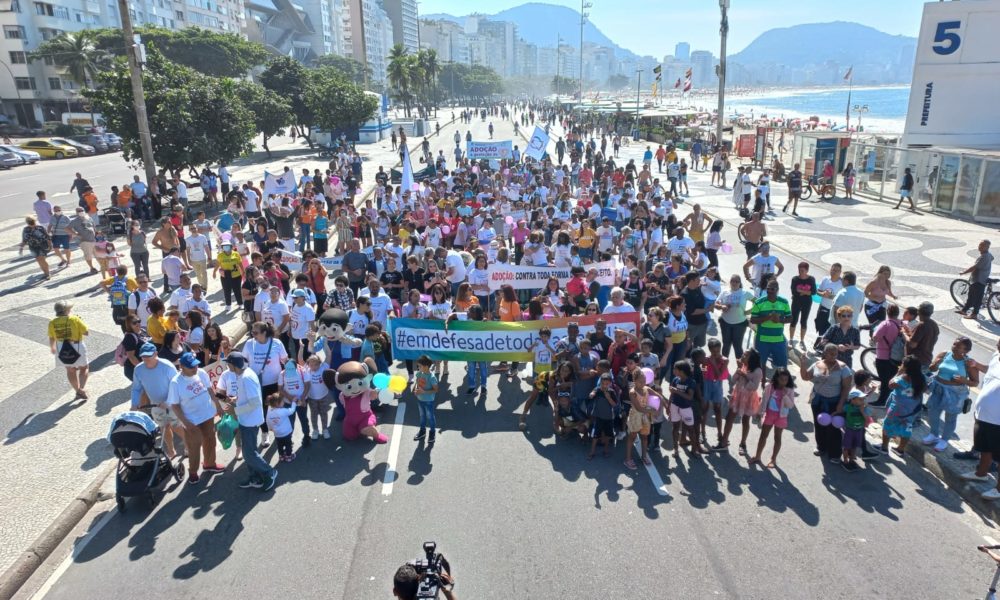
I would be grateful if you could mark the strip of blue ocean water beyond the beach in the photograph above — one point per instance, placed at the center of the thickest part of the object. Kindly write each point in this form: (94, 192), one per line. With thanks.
(886, 105)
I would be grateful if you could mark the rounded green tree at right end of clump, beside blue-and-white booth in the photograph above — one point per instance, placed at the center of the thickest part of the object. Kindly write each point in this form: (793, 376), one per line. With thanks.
(338, 103)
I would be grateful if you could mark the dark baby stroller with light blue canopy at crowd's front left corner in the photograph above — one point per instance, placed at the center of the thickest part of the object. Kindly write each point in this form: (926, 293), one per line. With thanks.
(143, 469)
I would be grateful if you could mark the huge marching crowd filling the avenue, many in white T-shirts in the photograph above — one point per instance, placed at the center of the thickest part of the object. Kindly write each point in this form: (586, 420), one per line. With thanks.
(712, 349)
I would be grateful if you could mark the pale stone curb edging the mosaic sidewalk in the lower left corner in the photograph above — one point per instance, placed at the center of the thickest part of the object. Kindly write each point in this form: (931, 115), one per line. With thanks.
(33, 558)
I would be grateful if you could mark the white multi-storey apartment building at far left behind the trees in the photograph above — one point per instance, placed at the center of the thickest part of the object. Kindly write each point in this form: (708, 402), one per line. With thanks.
(37, 91)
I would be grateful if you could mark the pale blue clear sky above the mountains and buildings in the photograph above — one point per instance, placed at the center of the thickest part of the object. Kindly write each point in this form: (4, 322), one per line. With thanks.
(652, 27)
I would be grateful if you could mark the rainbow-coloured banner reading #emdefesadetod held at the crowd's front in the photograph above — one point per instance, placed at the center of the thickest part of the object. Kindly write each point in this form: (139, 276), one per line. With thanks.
(488, 340)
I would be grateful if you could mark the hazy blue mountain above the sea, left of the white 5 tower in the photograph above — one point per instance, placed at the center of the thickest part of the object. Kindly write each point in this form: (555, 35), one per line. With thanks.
(817, 43)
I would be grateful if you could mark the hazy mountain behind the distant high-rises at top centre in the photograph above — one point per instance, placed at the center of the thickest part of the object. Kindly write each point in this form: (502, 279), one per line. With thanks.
(540, 24)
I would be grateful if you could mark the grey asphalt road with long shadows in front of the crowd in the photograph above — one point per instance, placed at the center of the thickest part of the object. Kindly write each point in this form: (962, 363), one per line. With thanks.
(525, 515)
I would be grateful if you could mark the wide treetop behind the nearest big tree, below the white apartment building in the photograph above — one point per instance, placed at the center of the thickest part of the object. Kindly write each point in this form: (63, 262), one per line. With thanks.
(211, 53)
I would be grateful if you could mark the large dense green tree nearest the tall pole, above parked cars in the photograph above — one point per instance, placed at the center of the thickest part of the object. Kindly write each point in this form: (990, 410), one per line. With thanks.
(194, 119)
